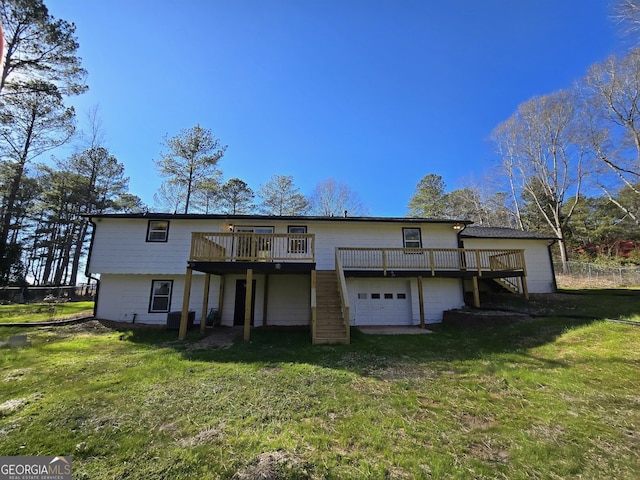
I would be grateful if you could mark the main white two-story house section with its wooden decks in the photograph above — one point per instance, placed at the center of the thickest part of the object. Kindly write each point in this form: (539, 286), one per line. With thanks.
(329, 273)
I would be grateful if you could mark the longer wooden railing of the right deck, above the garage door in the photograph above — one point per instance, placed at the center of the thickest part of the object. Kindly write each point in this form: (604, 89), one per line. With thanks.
(432, 259)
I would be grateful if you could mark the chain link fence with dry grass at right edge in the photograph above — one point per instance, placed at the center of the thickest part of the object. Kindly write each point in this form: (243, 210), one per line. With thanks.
(598, 276)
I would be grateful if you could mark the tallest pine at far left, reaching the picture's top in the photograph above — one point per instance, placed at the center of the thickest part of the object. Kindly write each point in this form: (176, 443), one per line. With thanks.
(40, 67)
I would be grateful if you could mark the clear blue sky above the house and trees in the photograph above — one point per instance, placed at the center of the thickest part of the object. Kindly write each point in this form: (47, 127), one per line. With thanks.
(373, 93)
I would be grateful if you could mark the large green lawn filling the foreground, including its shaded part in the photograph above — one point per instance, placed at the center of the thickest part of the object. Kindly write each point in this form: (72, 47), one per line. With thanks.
(554, 397)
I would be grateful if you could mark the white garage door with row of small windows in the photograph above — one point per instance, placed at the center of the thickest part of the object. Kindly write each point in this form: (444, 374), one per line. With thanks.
(383, 302)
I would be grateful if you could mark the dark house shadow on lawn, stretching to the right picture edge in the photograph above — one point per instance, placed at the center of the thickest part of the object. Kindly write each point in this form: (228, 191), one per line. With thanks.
(556, 314)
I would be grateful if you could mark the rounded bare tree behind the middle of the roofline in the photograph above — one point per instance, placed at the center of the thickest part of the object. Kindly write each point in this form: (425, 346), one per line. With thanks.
(332, 198)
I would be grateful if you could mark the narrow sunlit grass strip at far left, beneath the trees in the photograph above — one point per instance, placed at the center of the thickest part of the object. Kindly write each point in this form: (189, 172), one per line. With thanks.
(42, 312)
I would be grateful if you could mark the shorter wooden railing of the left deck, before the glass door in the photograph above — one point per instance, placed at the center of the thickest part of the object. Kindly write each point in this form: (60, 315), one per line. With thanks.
(252, 247)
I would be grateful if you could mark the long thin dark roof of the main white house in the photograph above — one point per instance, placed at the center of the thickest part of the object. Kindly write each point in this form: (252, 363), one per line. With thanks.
(291, 218)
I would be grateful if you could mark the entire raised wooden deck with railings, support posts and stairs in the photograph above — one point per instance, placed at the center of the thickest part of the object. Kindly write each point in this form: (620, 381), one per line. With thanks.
(242, 251)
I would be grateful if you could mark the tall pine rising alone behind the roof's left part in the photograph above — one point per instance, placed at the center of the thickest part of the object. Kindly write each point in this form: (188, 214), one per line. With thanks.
(191, 158)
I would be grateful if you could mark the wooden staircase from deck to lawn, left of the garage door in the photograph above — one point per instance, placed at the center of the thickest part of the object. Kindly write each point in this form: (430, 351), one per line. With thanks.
(330, 327)
